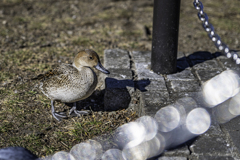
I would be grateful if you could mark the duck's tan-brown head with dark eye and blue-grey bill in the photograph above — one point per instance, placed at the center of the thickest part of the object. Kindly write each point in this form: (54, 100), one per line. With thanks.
(89, 58)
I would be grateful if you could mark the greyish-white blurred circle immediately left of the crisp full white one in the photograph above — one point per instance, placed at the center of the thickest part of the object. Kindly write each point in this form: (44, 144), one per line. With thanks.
(168, 118)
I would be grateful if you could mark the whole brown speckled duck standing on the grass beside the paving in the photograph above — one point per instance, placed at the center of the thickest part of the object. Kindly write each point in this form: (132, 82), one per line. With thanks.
(69, 83)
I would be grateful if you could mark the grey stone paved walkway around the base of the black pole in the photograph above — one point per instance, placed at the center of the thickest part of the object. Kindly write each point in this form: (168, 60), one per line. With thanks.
(132, 84)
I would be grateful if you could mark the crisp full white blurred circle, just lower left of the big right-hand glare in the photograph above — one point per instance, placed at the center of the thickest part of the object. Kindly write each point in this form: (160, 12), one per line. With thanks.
(198, 121)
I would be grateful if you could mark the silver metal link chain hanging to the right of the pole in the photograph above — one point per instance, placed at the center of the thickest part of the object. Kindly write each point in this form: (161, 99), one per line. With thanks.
(212, 34)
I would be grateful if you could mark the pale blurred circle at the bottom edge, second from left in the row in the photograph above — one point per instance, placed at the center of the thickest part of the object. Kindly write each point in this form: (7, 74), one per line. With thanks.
(83, 151)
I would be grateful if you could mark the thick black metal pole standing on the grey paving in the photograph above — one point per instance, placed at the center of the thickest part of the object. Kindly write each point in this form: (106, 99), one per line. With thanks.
(165, 36)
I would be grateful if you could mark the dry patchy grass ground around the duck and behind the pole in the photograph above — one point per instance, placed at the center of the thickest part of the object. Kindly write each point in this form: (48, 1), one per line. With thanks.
(37, 35)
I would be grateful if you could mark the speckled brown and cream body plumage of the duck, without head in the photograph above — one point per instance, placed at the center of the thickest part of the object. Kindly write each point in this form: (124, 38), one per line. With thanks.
(68, 84)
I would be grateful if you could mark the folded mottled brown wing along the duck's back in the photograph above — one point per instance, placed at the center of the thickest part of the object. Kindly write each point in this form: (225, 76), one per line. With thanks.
(61, 71)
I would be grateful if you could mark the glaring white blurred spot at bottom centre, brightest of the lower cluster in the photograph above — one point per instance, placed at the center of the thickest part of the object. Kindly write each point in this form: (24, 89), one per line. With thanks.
(130, 134)
